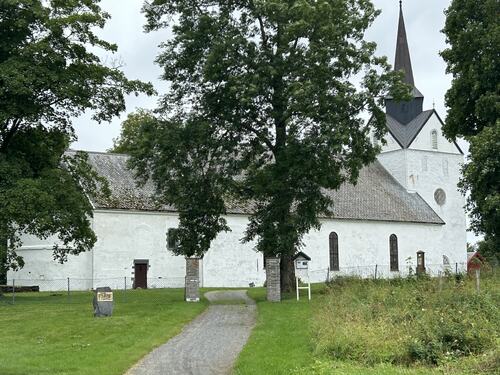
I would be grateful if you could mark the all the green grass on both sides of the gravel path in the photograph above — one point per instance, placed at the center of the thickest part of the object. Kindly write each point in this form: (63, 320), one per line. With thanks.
(352, 327)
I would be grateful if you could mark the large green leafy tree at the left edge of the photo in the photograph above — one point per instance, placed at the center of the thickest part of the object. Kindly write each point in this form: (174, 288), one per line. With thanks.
(48, 75)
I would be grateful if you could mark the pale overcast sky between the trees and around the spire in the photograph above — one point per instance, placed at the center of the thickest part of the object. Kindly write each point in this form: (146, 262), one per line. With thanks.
(424, 21)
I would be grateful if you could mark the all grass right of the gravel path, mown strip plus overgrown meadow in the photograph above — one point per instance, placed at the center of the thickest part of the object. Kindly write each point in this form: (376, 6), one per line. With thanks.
(289, 337)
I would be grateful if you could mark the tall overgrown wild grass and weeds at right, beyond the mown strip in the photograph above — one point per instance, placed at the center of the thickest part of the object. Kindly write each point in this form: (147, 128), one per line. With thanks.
(408, 321)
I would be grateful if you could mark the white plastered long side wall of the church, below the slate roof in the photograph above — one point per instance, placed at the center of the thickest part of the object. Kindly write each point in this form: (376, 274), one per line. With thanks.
(124, 236)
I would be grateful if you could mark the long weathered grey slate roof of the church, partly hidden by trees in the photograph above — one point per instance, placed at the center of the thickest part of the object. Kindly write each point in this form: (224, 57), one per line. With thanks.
(377, 195)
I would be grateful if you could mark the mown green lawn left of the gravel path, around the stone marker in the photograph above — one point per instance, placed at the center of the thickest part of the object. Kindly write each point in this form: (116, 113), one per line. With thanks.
(43, 334)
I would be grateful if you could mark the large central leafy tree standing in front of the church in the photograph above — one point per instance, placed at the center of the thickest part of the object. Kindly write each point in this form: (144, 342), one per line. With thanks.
(272, 85)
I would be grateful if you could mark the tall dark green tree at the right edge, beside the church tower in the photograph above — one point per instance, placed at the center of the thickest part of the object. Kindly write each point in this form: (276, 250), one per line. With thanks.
(473, 32)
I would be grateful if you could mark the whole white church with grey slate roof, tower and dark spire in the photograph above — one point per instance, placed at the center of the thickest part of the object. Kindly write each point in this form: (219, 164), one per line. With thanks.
(406, 201)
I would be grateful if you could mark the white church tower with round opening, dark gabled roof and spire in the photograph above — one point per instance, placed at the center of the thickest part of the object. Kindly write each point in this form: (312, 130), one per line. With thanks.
(423, 160)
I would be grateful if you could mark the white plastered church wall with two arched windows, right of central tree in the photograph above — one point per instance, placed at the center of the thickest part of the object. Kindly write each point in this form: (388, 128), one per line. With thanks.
(364, 245)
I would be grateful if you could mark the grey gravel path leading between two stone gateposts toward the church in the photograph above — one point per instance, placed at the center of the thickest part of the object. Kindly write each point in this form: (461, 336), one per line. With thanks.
(208, 345)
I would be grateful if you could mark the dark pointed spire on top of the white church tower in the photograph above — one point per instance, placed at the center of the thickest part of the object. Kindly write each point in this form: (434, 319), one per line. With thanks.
(404, 112)
